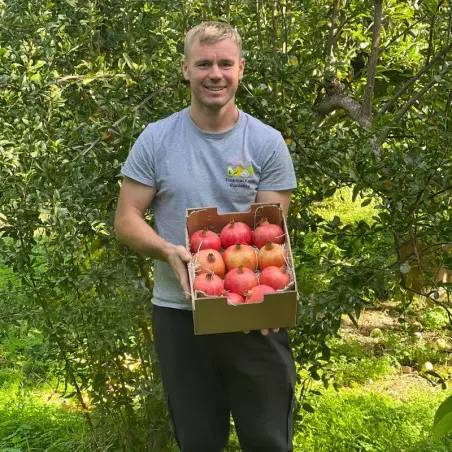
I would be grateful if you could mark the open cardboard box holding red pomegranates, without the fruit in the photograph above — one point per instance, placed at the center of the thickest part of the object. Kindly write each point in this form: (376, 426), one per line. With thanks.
(214, 314)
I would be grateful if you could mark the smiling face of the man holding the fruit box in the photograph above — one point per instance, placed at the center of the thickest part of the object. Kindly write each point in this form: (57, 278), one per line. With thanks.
(214, 71)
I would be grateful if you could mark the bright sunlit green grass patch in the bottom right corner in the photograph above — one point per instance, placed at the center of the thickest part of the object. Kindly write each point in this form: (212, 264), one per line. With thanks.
(353, 420)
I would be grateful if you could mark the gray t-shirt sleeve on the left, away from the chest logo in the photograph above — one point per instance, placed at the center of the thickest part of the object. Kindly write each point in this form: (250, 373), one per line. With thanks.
(139, 164)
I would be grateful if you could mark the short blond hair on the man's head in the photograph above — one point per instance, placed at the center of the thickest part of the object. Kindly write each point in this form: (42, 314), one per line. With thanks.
(211, 32)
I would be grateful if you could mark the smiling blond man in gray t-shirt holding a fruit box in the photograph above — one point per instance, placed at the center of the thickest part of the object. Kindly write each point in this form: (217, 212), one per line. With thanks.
(184, 161)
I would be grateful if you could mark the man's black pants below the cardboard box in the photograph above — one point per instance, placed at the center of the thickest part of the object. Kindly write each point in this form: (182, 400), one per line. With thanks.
(208, 377)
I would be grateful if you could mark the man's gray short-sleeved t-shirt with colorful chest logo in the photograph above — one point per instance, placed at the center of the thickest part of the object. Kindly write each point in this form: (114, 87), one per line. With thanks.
(191, 168)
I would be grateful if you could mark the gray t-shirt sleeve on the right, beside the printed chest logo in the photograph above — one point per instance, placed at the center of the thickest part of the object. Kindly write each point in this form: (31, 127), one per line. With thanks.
(277, 171)
